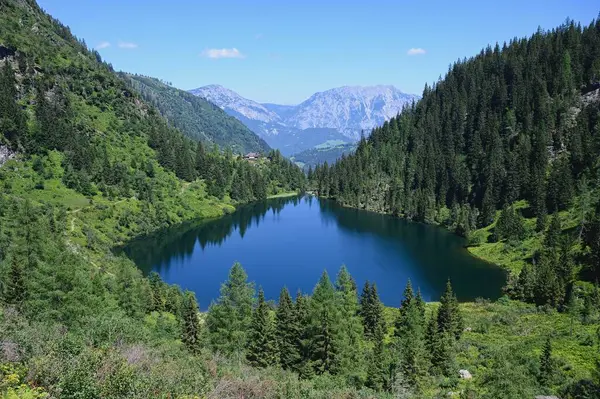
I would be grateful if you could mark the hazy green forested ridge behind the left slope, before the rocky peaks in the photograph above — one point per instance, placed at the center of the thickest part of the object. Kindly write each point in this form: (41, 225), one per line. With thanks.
(197, 118)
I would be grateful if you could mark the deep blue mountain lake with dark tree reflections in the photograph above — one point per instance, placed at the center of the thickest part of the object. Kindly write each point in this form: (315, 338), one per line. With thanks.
(290, 241)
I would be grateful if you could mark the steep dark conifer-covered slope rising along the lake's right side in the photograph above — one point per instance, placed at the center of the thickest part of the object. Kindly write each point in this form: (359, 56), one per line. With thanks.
(510, 134)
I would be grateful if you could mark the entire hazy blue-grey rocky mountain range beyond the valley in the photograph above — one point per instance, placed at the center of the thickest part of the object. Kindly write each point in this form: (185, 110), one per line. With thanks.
(338, 114)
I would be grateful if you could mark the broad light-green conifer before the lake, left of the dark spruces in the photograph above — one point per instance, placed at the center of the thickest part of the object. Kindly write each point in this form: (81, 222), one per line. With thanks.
(229, 319)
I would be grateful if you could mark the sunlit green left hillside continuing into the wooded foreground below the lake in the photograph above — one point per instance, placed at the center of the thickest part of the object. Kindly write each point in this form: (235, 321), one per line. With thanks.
(92, 165)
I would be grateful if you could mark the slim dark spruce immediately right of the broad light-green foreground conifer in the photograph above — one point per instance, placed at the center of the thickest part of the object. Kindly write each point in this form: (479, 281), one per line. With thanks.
(262, 344)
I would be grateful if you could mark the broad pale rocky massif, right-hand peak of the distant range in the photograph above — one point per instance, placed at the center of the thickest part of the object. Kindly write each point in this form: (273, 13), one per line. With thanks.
(350, 109)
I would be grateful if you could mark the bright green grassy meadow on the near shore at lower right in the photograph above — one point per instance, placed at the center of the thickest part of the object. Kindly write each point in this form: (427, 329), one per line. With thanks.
(508, 326)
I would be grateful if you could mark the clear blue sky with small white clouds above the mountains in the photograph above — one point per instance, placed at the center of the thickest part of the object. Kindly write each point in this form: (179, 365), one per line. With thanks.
(283, 51)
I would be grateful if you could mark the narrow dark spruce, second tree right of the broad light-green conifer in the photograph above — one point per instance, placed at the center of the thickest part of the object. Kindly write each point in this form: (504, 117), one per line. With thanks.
(287, 332)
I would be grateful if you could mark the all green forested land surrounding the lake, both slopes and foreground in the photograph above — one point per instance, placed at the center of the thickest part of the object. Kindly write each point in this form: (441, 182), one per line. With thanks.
(87, 164)
